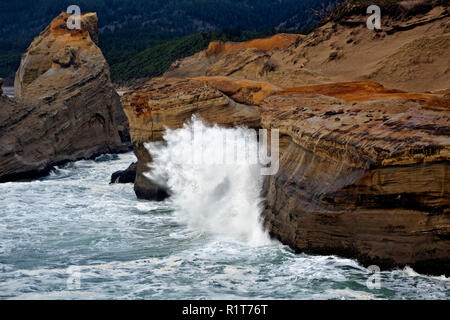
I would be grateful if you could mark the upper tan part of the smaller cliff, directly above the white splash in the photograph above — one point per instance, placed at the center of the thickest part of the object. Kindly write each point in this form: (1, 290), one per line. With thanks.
(171, 102)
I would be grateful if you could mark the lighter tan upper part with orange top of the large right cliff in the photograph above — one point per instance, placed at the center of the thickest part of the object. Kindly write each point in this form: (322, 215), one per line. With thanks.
(376, 126)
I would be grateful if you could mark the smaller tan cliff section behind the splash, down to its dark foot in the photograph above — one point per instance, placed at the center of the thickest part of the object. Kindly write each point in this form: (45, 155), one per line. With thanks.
(171, 102)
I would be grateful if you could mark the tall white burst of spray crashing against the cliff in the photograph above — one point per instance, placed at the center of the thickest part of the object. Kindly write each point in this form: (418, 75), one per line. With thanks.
(213, 197)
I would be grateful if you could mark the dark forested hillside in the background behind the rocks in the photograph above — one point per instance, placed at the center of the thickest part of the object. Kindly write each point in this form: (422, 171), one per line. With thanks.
(129, 29)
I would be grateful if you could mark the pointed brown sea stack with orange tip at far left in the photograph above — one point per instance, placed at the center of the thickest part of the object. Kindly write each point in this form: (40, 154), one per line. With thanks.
(66, 106)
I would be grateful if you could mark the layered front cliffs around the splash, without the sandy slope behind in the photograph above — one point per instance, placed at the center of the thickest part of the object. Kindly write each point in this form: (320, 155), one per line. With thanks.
(363, 170)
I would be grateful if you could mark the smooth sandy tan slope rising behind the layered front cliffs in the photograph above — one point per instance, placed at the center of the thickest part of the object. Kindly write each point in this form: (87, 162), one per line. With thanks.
(340, 51)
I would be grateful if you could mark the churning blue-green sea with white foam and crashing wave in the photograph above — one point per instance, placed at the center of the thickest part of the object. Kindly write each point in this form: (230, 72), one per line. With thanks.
(72, 235)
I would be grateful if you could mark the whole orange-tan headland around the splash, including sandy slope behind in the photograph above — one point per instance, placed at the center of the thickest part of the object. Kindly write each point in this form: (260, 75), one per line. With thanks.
(364, 168)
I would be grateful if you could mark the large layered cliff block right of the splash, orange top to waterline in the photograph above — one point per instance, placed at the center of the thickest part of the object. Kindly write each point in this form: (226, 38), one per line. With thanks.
(364, 175)
